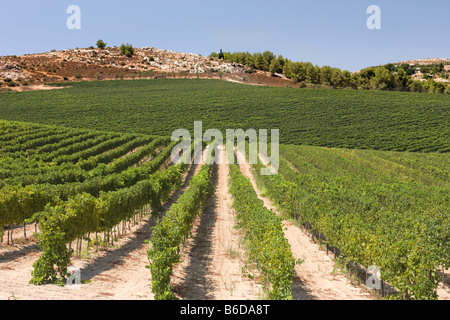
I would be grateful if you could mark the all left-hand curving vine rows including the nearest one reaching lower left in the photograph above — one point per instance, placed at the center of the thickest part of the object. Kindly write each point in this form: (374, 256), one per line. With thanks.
(78, 201)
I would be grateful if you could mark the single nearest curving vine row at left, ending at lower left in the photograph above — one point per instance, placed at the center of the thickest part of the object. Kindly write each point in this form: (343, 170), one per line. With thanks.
(84, 213)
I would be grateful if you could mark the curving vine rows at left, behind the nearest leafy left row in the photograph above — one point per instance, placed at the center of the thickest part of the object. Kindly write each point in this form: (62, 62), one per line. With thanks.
(29, 183)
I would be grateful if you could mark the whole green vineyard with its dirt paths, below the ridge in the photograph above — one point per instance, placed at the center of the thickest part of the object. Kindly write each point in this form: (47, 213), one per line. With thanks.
(105, 196)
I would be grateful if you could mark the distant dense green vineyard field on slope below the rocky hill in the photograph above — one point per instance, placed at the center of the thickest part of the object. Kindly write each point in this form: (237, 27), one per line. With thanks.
(398, 121)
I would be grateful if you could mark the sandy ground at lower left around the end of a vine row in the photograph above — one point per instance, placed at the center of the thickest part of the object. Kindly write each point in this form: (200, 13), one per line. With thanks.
(117, 272)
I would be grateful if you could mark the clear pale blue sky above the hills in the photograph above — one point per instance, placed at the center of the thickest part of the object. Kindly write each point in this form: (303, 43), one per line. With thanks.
(324, 32)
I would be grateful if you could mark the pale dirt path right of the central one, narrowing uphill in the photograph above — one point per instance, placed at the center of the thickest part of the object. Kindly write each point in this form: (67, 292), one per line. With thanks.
(314, 279)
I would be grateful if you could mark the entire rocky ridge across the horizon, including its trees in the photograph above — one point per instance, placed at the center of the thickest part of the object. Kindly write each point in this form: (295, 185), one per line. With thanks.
(36, 71)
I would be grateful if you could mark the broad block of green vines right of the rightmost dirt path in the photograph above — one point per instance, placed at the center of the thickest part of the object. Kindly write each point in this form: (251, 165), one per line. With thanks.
(388, 209)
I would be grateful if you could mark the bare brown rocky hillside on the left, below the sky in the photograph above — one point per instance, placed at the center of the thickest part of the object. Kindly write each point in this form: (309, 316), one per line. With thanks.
(32, 71)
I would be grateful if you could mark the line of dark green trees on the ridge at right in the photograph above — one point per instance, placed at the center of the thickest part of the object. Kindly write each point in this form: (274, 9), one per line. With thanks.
(305, 73)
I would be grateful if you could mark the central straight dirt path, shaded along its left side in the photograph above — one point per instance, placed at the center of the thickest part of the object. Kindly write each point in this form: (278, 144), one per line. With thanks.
(213, 259)
